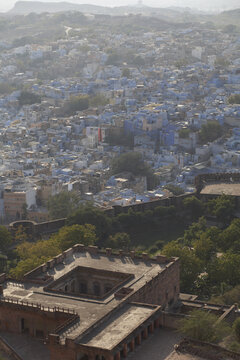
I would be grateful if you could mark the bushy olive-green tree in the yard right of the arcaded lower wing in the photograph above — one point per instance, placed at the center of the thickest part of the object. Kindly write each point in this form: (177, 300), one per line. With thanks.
(203, 326)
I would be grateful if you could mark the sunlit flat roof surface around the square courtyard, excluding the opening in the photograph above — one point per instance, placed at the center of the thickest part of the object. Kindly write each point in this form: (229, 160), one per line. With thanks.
(90, 310)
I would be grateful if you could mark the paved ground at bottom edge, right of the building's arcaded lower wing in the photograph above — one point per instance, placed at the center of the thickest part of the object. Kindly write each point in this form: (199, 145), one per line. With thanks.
(159, 346)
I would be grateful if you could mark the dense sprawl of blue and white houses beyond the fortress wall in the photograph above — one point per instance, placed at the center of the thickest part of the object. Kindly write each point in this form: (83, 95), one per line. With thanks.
(72, 104)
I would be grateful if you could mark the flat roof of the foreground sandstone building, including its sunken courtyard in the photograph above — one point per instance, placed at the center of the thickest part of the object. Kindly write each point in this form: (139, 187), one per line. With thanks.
(101, 283)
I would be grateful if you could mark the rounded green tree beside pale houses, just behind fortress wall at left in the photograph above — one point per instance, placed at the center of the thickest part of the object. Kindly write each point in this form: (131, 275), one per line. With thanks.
(62, 204)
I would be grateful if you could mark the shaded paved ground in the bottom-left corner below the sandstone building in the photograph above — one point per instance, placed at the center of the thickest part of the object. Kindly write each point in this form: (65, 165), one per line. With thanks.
(28, 348)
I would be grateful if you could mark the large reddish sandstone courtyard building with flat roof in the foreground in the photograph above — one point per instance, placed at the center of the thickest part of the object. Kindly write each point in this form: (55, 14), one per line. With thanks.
(88, 304)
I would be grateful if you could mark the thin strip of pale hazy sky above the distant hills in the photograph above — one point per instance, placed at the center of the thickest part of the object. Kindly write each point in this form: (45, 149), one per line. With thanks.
(200, 4)
